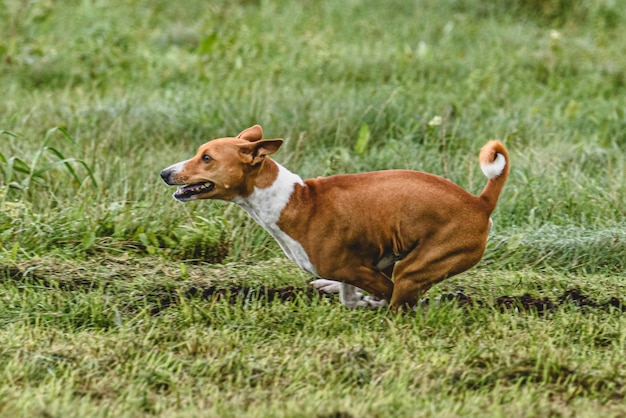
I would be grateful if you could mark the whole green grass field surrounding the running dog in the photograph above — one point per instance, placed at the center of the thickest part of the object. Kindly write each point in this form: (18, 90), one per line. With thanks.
(115, 300)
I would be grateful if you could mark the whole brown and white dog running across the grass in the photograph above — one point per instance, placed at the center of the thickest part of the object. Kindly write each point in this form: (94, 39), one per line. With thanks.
(352, 230)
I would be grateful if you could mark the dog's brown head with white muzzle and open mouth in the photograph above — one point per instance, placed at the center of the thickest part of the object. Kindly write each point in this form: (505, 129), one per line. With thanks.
(223, 168)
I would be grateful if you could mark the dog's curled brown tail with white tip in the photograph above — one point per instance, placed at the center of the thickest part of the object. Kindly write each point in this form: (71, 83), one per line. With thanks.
(494, 162)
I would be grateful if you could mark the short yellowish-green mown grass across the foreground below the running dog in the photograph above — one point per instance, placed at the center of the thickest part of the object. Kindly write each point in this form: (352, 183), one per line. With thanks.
(120, 351)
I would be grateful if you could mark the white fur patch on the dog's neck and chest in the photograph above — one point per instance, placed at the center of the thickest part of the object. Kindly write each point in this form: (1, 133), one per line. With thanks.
(265, 206)
